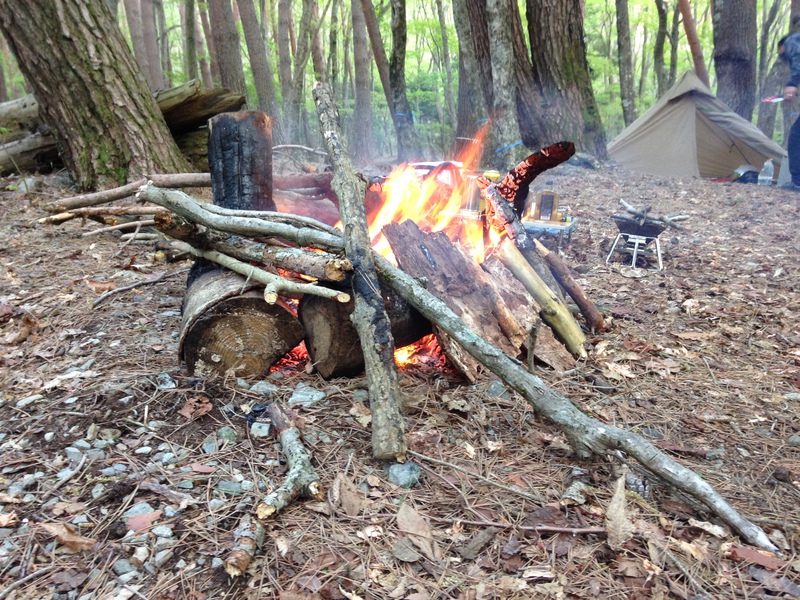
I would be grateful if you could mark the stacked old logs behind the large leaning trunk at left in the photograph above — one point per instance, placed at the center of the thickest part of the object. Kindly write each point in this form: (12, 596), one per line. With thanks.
(29, 145)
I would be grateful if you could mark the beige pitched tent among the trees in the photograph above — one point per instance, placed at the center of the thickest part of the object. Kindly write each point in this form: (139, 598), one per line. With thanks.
(689, 133)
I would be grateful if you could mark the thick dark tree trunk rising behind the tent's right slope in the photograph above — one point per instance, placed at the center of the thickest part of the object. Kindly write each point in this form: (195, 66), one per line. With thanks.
(735, 38)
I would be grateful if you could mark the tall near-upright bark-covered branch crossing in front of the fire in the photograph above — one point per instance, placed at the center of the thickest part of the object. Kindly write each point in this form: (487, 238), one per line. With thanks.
(369, 314)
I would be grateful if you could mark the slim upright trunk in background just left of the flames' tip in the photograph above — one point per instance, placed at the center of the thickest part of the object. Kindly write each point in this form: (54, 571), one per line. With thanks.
(408, 147)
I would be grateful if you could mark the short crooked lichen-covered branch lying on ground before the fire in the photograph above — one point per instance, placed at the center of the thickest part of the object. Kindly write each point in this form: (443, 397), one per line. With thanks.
(302, 480)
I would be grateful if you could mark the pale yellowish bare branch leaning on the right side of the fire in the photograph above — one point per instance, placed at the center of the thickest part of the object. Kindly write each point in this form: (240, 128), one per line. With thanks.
(553, 311)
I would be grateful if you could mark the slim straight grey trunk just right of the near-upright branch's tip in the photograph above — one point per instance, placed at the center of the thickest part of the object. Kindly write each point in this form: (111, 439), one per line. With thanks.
(362, 117)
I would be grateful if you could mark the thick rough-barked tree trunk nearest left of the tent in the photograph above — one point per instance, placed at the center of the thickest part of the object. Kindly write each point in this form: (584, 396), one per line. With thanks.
(562, 72)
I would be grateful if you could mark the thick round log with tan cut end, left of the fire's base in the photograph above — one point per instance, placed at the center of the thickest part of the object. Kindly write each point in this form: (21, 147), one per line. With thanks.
(228, 328)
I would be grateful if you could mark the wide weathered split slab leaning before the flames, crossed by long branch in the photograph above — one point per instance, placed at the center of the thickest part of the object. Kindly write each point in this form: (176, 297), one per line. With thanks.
(458, 281)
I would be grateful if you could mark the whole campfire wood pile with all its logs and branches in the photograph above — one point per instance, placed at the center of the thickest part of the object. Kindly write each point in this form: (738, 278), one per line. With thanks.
(270, 271)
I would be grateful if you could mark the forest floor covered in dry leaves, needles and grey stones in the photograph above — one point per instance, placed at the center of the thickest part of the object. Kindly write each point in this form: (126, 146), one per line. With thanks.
(108, 491)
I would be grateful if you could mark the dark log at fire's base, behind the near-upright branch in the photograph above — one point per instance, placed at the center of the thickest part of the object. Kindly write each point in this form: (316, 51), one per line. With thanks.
(332, 341)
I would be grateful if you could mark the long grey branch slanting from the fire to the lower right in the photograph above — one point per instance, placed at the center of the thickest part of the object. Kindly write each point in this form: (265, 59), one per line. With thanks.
(586, 435)
